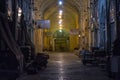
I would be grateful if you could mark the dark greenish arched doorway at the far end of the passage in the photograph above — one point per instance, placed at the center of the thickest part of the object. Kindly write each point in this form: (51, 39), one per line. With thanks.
(61, 40)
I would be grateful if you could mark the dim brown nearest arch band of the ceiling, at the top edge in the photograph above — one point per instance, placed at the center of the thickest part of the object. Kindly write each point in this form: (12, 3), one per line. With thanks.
(45, 4)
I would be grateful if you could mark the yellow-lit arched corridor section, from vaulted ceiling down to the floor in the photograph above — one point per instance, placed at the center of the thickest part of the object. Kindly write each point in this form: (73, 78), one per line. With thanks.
(63, 17)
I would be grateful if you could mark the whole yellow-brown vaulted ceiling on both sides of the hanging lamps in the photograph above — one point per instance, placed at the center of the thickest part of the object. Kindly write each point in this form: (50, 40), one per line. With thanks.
(73, 11)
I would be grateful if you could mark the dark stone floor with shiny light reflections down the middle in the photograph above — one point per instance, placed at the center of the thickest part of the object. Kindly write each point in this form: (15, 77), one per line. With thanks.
(67, 66)
